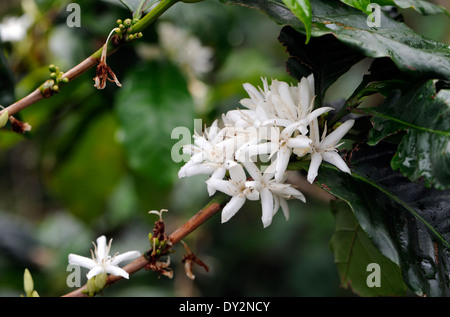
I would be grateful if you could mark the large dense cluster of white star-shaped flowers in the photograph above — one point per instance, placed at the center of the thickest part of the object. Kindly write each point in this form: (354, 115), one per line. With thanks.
(279, 121)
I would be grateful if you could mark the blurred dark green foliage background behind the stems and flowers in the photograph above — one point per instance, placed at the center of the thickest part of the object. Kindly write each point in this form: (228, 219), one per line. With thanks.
(96, 161)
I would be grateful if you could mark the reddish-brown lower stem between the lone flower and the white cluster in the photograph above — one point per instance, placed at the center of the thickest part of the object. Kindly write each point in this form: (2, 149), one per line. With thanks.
(138, 264)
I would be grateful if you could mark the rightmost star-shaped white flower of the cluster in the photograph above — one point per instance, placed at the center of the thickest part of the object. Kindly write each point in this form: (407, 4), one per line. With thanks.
(326, 149)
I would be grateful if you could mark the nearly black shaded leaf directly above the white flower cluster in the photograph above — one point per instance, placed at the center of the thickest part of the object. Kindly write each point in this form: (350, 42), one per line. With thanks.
(325, 57)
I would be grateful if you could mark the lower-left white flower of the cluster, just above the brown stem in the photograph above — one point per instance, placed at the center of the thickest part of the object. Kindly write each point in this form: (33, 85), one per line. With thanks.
(235, 187)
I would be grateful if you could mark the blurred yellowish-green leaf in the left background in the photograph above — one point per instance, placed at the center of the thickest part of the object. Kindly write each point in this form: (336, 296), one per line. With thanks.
(86, 179)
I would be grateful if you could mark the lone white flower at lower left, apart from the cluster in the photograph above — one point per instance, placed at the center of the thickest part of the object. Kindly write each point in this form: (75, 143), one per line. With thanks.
(101, 261)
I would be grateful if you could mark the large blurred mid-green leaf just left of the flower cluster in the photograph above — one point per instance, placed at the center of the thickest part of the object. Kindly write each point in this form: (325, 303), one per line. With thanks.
(153, 101)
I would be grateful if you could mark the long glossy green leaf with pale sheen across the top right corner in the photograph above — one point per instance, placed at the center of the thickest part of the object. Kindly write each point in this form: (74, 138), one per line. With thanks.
(411, 52)
